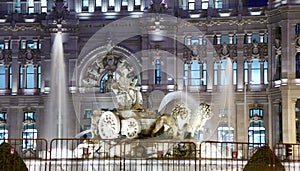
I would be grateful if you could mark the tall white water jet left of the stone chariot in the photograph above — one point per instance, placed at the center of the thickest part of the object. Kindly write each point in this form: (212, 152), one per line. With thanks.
(57, 119)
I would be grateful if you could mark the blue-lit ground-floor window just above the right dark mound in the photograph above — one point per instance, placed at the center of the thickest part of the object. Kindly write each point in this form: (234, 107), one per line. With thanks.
(256, 133)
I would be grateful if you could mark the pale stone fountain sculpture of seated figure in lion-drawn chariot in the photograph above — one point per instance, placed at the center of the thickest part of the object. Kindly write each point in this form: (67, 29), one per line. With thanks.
(131, 121)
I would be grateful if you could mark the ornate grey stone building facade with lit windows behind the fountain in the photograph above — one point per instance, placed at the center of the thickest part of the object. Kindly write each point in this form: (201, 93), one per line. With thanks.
(241, 57)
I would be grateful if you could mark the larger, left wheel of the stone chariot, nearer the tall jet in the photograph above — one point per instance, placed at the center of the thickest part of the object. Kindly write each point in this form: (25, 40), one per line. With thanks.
(109, 125)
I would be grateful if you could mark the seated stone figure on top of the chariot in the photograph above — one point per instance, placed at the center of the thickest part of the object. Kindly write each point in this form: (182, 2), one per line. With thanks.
(127, 94)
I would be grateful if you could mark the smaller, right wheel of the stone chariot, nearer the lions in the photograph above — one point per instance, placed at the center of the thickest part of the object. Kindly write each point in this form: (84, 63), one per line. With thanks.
(133, 128)
